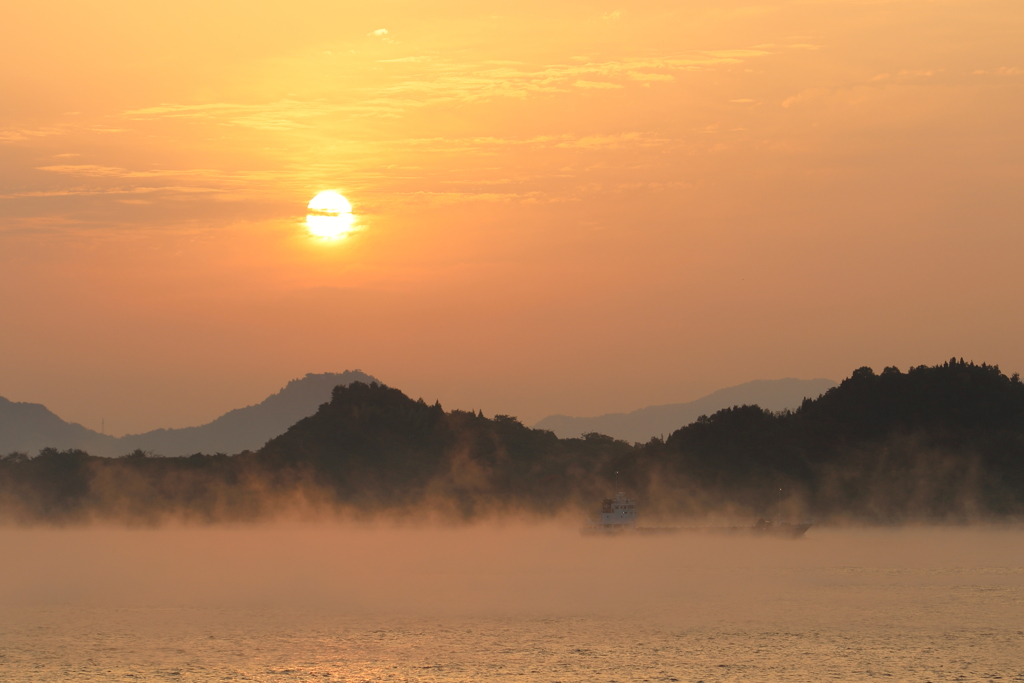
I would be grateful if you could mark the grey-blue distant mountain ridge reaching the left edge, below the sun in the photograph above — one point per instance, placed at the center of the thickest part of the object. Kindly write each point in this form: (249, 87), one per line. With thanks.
(30, 428)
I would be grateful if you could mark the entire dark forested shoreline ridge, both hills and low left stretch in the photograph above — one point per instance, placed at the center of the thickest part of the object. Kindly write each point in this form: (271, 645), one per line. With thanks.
(943, 443)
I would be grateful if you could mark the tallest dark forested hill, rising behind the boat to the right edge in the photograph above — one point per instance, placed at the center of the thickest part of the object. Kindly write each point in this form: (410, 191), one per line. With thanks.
(944, 442)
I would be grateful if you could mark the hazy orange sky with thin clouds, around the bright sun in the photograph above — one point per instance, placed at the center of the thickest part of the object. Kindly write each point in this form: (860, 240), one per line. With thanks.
(564, 207)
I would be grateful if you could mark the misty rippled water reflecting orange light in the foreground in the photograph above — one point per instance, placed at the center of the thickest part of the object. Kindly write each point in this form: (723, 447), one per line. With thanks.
(516, 603)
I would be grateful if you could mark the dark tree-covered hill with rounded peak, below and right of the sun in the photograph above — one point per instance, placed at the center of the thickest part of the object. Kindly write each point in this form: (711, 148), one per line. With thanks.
(375, 447)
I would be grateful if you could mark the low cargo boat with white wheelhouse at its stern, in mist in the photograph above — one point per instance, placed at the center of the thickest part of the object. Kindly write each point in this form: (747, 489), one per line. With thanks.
(619, 517)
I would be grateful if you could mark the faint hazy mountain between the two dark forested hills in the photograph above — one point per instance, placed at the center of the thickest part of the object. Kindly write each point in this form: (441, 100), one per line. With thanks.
(642, 425)
